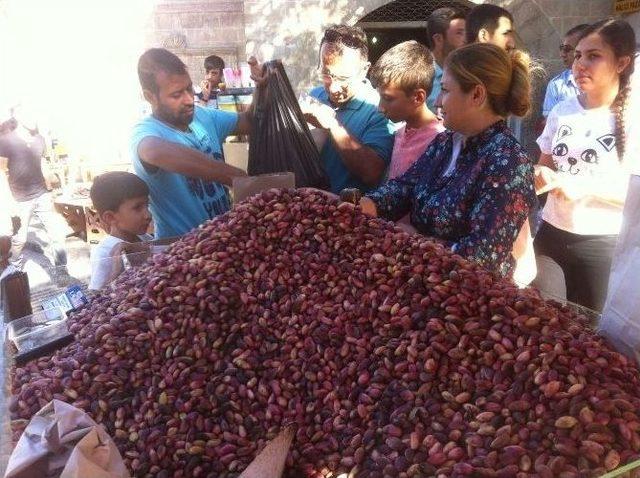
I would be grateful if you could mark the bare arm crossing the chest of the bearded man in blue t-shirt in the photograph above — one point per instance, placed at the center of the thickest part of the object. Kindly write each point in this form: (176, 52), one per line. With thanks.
(180, 159)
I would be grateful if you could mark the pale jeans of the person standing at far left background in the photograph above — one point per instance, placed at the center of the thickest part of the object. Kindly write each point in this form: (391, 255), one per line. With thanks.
(40, 208)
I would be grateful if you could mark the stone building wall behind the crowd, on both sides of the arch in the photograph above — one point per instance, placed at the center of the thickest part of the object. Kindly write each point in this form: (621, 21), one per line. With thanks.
(291, 30)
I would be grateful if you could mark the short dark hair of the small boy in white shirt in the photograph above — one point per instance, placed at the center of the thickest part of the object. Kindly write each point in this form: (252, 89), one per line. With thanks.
(110, 190)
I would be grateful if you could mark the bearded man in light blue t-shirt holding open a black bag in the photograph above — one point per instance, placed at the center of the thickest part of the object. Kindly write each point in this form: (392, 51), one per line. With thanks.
(177, 150)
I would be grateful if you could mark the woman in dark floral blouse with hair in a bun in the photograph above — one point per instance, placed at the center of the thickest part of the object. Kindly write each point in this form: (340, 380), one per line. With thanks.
(473, 186)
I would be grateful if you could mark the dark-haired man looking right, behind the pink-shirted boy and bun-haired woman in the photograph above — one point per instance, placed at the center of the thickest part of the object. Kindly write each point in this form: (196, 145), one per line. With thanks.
(445, 33)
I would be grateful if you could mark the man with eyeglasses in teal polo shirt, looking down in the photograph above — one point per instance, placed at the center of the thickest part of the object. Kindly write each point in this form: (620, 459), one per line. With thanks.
(361, 137)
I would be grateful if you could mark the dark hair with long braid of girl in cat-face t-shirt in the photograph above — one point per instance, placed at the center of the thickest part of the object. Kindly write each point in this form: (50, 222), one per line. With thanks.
(619, 35)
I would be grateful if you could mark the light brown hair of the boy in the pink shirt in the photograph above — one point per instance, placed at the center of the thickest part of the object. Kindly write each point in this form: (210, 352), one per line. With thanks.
(409, 65)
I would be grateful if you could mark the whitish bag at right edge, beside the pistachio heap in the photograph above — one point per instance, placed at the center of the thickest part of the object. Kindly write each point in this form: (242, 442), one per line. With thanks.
(620, 321)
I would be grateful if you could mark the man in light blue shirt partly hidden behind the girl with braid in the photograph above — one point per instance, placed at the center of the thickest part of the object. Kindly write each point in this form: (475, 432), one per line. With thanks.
(563, 86)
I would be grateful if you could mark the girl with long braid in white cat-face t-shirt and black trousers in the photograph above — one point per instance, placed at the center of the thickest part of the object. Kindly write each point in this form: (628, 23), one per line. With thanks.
(584, 164)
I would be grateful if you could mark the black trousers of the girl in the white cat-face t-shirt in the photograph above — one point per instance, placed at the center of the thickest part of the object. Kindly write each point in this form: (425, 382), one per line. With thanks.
(584, 259)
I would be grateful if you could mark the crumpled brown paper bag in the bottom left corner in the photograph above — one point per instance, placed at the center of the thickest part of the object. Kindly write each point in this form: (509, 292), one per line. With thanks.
(47, 446)
